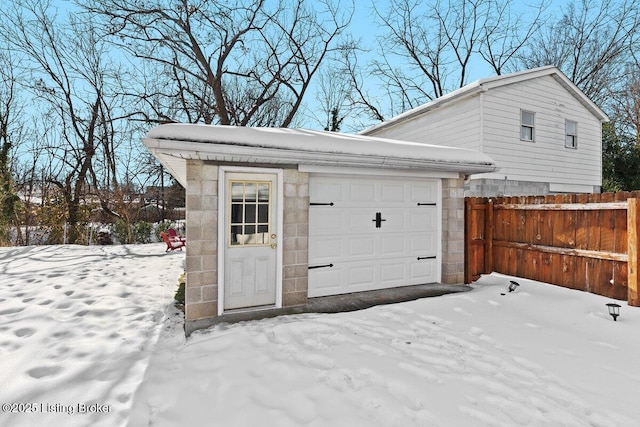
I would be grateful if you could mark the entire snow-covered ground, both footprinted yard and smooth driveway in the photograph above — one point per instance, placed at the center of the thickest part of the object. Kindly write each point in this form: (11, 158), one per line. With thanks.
(92, 328)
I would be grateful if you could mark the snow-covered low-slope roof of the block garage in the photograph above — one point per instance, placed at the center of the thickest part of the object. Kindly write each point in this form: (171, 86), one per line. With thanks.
(173, 144)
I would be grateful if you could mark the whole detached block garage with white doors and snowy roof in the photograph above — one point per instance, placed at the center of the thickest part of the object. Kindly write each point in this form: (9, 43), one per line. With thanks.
(279, 217)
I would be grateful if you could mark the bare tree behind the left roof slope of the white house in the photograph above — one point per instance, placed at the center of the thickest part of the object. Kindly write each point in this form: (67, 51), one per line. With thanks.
(427, 49)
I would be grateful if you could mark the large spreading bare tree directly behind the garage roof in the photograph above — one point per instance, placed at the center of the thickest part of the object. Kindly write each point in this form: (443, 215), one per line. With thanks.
(236, 62)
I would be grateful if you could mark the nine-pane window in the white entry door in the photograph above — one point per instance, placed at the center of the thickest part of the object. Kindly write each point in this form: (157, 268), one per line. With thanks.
(249, 213)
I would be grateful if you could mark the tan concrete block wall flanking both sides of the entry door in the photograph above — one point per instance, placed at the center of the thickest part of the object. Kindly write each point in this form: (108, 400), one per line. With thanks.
(201, 291)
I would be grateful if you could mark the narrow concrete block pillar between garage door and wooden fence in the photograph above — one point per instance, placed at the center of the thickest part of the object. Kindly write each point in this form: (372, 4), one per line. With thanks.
(453, 231)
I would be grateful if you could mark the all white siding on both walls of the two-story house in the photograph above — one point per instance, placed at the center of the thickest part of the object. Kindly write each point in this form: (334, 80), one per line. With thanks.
(490, 122)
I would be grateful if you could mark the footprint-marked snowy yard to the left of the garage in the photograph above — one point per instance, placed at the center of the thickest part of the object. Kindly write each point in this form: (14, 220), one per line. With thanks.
(77, 327)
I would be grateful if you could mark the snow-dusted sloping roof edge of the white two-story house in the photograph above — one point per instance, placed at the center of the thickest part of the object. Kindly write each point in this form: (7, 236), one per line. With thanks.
(489, 83)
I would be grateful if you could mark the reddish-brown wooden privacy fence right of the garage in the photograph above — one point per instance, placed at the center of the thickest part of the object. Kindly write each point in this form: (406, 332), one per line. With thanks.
(579, 241)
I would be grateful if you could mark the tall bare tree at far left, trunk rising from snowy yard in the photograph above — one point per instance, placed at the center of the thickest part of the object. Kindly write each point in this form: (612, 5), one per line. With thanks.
(72, 82)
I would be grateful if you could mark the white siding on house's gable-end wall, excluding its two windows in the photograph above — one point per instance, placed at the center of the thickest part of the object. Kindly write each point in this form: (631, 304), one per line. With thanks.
(543, 161)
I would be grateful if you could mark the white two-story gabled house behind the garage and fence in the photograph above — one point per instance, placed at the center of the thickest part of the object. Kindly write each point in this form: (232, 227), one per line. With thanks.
(543, 132)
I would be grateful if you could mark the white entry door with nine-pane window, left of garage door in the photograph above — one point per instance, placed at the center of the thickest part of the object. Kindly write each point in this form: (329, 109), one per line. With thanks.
(250, 254)
